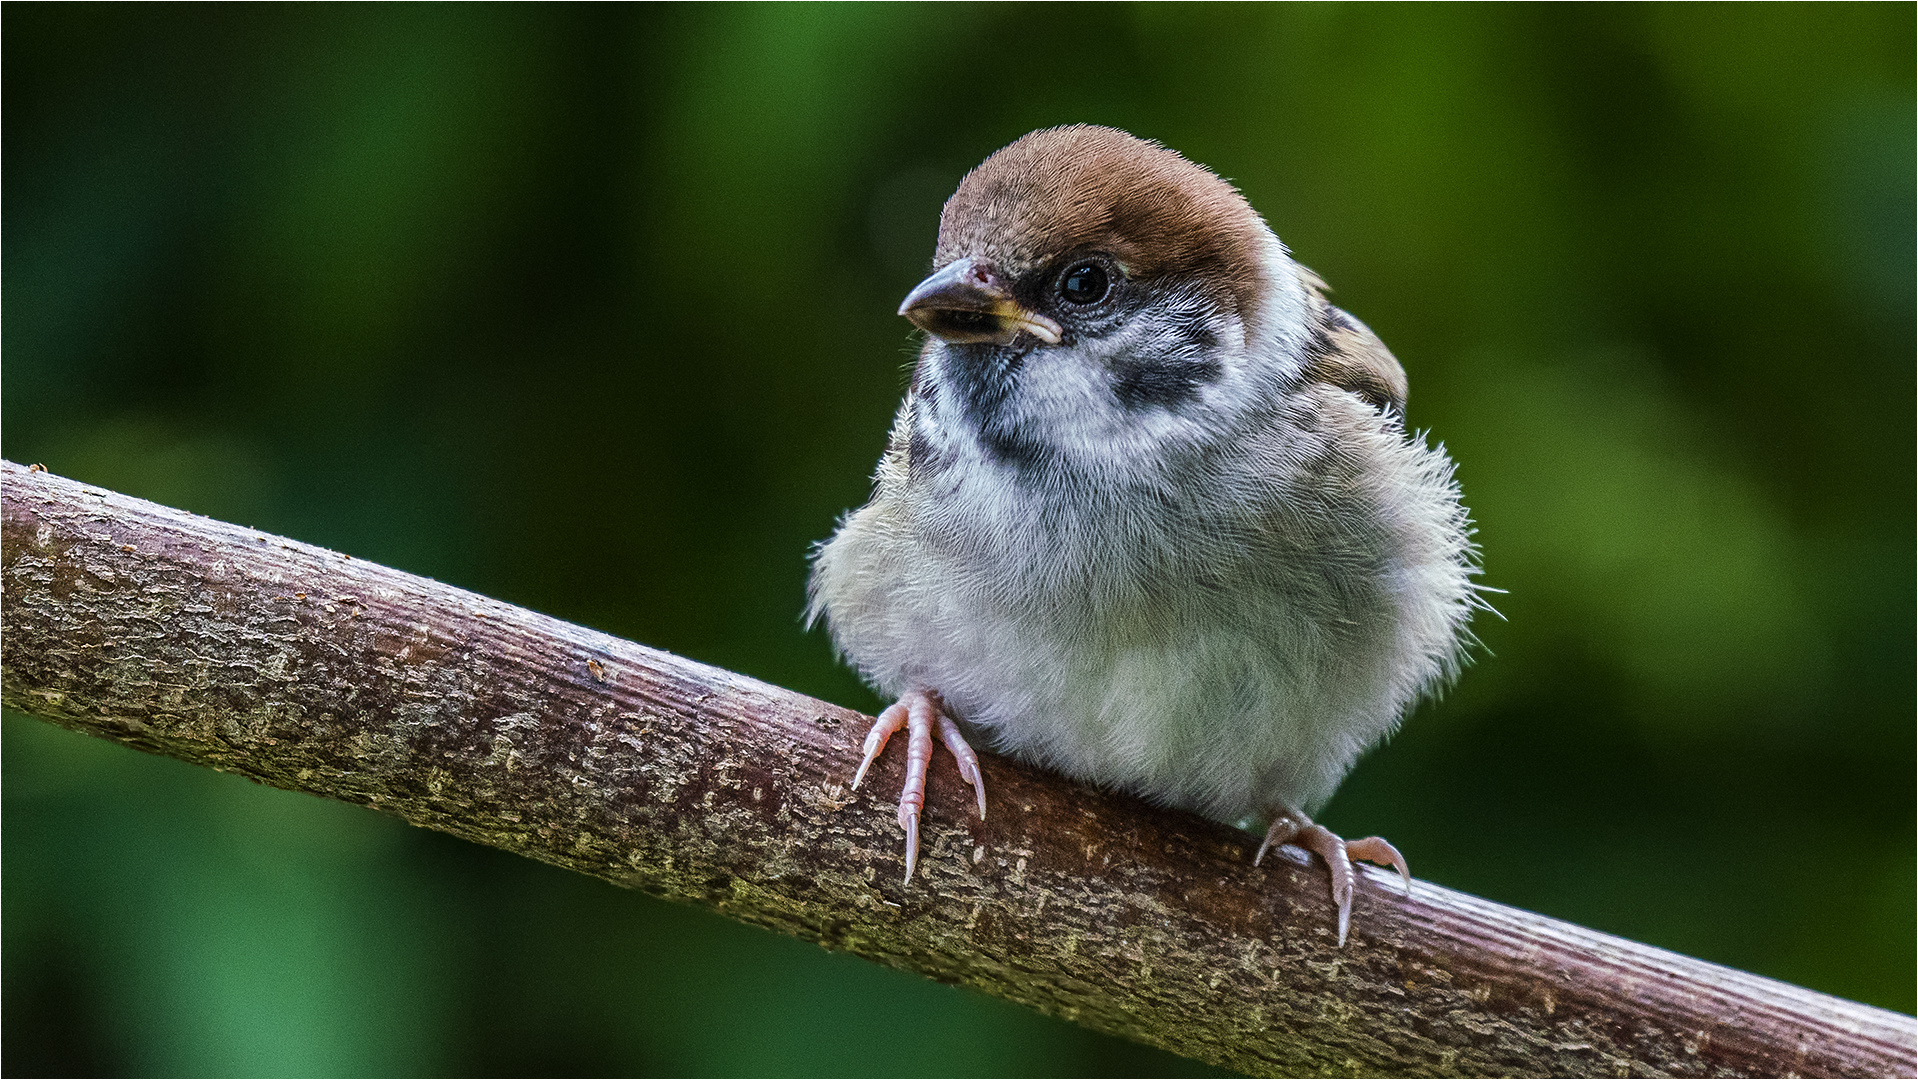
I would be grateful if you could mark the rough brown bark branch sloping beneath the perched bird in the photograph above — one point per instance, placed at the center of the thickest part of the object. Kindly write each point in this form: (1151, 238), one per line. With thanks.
(316, 672)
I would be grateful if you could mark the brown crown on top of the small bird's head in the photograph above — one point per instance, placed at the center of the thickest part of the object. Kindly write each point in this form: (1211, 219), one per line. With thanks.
(1088, 187)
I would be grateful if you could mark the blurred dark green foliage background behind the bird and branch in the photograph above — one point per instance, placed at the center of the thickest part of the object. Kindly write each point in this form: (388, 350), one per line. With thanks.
(592, 310)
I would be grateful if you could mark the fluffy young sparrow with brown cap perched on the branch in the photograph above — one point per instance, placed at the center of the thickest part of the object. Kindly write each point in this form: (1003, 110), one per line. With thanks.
(1150, 513)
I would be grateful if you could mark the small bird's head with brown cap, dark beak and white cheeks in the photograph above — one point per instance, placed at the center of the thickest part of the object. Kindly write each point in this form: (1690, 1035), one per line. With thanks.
(1096, 298)
